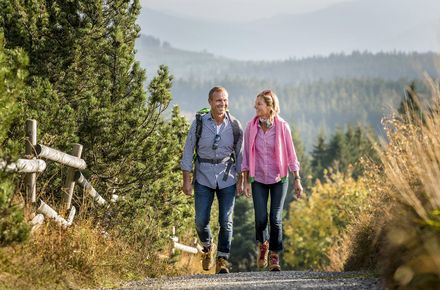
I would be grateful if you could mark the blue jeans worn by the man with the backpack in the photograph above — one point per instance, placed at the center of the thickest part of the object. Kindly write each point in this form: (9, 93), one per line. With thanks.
(204, 196)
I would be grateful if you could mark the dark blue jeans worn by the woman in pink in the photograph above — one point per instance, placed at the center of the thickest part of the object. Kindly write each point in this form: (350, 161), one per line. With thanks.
(260, 195)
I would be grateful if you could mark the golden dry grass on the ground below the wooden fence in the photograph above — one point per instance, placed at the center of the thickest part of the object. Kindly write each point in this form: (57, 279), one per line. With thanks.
(82, 256)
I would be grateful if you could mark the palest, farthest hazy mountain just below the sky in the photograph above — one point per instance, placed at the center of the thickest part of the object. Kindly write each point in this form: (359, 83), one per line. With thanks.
(373, 25)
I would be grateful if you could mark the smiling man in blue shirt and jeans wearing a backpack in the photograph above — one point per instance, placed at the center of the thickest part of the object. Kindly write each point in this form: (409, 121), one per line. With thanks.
(217, 171)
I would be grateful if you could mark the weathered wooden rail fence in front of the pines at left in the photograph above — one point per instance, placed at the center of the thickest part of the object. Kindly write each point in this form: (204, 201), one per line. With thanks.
(34, 163)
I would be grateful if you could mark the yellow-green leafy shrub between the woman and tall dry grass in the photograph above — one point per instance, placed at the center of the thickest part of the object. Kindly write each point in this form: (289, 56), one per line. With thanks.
(315, 224)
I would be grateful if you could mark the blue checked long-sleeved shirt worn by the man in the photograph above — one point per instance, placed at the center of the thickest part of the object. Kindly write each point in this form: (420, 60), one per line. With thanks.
(208, 174)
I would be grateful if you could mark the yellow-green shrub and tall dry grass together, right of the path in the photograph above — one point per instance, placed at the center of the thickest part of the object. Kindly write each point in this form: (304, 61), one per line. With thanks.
(387, 220)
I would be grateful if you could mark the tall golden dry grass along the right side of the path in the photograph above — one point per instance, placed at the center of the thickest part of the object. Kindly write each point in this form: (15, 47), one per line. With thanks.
(399, 233)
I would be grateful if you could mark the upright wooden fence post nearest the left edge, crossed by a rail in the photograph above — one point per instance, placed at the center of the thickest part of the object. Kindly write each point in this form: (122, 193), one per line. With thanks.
(31, 142)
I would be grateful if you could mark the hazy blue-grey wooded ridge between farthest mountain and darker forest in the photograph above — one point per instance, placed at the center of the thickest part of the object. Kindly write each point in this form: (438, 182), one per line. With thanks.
(204, 66)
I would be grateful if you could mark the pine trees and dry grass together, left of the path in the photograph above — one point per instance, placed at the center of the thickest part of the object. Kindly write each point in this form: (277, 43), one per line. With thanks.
(75, 73)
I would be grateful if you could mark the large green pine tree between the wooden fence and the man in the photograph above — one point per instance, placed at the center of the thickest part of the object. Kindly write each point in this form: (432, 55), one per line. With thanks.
(86, 87)
